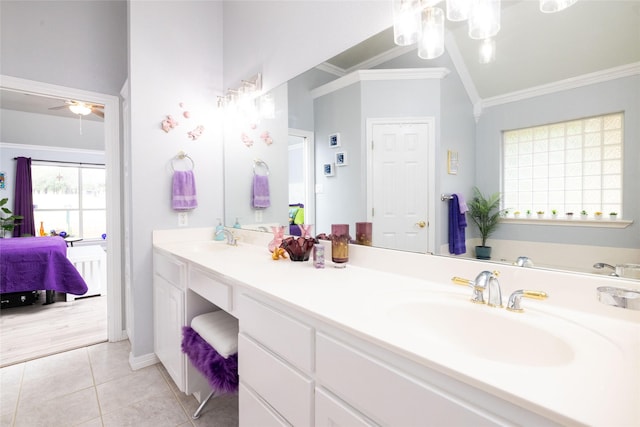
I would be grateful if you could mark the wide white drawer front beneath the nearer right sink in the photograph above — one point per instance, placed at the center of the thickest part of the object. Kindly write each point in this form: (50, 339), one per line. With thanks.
(389, 396)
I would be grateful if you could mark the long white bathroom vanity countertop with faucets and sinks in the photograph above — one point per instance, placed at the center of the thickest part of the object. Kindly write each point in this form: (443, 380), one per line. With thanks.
(595, 382)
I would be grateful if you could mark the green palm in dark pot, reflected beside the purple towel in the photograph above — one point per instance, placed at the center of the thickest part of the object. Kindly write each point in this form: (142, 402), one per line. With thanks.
(485, 212)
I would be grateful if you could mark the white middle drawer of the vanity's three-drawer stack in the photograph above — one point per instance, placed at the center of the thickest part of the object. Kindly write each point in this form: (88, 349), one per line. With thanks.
(289, 392)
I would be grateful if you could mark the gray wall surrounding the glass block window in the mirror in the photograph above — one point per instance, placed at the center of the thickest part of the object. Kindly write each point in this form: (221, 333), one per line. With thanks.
(613, 96)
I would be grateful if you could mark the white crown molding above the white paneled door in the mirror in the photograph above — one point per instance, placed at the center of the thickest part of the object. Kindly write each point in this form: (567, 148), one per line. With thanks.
(387, 74)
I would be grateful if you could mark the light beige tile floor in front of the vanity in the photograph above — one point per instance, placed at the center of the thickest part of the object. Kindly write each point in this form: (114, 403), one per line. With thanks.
(94, 386)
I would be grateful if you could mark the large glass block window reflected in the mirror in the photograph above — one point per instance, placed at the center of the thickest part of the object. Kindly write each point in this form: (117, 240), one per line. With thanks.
(570, 167)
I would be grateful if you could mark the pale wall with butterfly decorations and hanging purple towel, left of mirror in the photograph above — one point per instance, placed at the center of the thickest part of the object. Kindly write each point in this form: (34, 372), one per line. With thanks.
(175, 52)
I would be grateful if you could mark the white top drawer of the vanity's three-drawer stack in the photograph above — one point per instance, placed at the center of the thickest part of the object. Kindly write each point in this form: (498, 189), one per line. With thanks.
(282, 334)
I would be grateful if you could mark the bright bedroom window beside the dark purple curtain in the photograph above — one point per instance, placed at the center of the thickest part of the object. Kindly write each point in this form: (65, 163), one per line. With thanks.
(70, 197)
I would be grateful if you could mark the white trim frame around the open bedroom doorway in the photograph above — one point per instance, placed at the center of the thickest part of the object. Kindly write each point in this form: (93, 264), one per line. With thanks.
(115, 330)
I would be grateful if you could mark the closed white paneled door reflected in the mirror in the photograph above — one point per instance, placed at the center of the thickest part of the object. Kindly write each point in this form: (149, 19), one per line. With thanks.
(400, 185)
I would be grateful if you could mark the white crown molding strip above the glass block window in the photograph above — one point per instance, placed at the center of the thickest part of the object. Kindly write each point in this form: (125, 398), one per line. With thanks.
(566, 84)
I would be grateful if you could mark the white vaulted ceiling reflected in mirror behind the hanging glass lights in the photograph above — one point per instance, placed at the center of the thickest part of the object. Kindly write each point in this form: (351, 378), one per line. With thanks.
(533, 48)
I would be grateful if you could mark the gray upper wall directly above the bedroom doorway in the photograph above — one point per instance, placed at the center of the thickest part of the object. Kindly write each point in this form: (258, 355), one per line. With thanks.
(78, 44)
